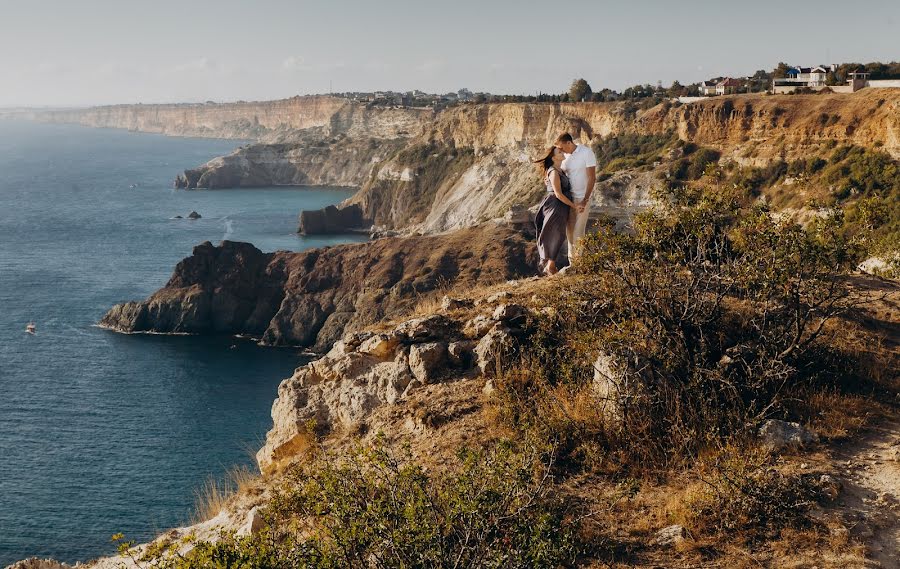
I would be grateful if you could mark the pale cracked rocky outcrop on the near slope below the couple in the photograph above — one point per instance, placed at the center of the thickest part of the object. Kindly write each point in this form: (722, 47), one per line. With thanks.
(368, 370)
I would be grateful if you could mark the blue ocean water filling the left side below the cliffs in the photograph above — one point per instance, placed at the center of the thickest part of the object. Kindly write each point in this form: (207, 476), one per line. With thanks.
(102, 432)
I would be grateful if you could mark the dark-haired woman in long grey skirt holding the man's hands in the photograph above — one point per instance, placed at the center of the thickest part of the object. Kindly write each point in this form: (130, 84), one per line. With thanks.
(553, 213)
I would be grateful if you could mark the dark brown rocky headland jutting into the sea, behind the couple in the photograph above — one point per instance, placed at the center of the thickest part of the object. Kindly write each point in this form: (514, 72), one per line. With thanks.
(310, 298)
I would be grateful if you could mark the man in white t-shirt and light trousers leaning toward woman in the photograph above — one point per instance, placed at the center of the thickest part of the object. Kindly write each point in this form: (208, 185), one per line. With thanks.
(580, 166)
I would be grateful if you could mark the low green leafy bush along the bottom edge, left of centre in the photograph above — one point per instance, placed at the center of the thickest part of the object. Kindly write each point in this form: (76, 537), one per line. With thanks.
(371, 510)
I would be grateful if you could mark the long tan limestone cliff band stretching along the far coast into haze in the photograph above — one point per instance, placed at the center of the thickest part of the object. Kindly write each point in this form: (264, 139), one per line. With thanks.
(437, 171)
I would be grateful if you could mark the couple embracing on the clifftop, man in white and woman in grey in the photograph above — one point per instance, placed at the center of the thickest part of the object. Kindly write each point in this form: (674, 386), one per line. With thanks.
(569, 171)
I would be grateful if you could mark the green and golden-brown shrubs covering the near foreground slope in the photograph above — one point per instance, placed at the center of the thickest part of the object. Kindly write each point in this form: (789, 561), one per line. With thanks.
(664, 353)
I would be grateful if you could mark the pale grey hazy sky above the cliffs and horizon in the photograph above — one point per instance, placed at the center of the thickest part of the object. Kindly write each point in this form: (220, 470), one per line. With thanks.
(93, 52)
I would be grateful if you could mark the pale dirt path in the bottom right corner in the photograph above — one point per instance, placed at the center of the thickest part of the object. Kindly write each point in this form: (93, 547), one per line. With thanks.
(870, 471)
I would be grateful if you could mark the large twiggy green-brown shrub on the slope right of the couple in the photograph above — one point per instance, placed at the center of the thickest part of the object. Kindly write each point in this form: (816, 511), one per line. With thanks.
(683, 334)
